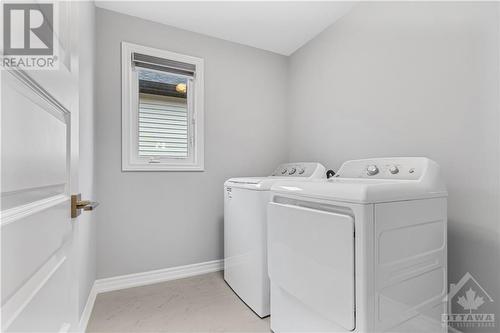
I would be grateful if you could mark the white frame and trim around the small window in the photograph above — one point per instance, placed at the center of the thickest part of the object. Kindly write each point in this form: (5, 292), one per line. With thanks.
(131, 161)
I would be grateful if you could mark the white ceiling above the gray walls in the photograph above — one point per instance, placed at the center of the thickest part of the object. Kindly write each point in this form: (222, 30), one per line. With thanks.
(281, 27)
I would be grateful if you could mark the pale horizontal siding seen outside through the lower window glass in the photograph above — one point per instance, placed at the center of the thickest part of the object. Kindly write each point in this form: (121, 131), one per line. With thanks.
(163, 129)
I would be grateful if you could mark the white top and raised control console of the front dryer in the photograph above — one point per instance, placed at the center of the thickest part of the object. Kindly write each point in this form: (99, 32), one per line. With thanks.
(372, 181)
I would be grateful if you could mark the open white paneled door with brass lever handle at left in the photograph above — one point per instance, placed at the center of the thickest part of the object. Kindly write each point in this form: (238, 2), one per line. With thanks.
(39, 140)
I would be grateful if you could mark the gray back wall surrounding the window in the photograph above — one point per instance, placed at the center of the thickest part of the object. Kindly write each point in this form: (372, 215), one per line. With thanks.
(154, 220)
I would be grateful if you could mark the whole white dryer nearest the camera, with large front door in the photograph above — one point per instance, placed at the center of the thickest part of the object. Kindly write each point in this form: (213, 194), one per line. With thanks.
(364, 251)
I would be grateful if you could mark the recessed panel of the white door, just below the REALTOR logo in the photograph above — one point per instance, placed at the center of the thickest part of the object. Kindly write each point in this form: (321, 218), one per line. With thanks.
(34, 153)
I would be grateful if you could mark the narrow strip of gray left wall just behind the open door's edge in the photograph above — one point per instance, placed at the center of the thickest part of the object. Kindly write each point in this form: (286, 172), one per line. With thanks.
(86, 225)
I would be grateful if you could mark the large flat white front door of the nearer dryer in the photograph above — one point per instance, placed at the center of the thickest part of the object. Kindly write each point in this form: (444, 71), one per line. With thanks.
(311, 257)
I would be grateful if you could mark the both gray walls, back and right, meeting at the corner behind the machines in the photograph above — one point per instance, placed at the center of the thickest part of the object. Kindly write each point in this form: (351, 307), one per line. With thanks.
(396, 79)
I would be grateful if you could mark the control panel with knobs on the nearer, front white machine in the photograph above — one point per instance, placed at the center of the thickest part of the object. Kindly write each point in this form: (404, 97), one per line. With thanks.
(403, 168)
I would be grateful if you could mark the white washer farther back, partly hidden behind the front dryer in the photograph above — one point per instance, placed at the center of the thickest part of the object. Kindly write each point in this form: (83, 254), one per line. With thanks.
(245, 228)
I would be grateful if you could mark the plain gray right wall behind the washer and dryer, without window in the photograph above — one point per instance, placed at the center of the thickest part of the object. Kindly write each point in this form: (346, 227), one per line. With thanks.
(411, 79)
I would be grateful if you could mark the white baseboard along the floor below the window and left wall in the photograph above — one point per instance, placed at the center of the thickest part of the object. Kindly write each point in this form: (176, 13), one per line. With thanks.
(145, 278)
